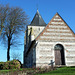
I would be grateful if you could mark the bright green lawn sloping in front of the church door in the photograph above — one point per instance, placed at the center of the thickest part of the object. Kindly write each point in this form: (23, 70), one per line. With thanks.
(61, 71)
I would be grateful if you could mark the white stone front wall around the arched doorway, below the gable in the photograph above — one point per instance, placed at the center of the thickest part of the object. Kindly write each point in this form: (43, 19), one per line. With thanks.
(45, 53)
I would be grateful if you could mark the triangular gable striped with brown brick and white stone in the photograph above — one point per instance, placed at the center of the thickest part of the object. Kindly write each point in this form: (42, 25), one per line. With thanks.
(57, 30)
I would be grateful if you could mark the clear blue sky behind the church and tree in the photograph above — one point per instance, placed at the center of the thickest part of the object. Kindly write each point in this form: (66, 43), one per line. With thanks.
(47, 9)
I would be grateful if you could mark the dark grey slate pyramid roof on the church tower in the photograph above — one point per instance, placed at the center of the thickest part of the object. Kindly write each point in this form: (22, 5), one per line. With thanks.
(38, 20)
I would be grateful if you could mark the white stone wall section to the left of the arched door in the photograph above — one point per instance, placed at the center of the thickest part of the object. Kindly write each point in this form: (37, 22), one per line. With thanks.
(44, 54)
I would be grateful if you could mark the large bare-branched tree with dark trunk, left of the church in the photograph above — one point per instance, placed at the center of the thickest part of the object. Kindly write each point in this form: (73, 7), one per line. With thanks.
(13, 21)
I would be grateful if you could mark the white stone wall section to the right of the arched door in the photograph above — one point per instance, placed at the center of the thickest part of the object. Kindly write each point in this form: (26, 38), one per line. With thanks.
(70, 53)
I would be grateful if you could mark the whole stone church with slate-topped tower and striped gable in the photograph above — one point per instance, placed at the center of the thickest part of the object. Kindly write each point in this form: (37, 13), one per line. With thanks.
(44, 43)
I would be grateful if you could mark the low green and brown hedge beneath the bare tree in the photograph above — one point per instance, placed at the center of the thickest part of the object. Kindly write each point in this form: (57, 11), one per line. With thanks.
(14, 64)
